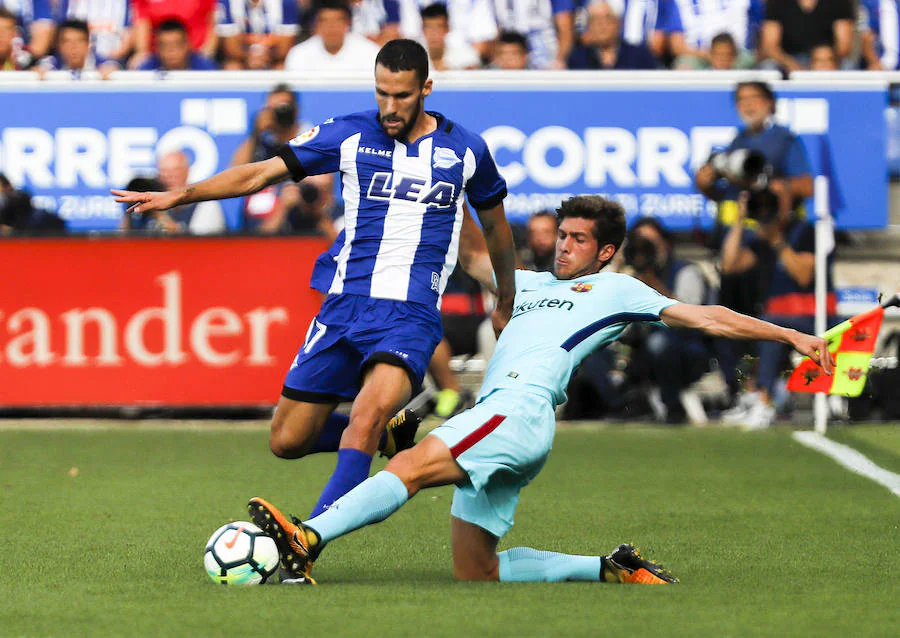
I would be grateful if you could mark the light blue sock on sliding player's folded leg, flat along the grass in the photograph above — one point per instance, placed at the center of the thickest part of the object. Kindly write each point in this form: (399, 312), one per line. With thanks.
(526, 565)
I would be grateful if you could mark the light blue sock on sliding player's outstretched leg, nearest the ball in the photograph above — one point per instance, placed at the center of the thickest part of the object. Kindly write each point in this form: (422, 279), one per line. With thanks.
(371, 501)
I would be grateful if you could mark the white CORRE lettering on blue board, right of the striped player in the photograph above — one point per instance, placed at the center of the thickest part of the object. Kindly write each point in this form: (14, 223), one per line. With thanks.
(558, 157)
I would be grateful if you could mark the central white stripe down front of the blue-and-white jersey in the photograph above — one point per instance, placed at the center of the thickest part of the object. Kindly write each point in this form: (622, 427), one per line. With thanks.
(402, 226)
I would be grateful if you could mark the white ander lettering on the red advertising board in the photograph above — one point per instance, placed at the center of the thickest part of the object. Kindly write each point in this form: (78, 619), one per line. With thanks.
(217, 336)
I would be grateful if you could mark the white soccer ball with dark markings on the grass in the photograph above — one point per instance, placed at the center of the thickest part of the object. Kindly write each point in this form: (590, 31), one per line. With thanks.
(240, 554)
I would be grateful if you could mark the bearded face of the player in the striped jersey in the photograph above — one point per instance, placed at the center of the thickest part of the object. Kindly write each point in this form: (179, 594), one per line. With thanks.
(400, 96)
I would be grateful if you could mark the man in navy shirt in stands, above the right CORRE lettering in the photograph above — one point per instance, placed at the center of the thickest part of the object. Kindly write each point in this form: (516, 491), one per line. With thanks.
(601, 46)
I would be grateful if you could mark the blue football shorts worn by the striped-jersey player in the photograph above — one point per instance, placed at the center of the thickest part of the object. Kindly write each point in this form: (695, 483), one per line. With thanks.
(349, 335)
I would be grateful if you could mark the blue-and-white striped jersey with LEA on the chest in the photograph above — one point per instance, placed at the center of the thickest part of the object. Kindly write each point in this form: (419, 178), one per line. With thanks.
(402, 203)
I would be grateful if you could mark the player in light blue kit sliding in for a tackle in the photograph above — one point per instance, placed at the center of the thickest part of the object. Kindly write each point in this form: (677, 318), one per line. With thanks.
(494, 449)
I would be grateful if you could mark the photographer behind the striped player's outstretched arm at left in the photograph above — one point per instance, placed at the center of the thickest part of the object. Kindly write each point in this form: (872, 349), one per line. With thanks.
(278, 208)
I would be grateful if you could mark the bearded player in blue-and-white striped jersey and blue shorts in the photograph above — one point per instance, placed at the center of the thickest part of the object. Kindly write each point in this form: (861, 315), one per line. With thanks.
(403, 173)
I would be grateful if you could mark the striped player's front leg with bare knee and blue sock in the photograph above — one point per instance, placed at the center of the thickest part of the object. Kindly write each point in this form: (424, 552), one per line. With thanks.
(386, 388)
